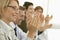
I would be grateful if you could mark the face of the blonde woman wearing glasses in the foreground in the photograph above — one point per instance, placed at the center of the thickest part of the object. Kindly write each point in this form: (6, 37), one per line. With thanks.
(11, 11)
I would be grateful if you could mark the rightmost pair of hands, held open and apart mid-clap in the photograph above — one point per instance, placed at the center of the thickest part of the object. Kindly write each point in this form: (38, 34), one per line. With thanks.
(42, 27)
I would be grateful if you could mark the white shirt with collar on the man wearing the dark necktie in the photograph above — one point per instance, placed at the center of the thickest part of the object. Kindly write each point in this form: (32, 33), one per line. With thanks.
(20, 34)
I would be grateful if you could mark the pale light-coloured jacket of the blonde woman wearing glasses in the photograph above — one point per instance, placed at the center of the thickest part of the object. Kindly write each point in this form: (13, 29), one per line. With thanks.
(6, 32)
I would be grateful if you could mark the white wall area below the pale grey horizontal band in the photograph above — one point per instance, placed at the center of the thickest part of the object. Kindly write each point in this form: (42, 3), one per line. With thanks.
(53, 34)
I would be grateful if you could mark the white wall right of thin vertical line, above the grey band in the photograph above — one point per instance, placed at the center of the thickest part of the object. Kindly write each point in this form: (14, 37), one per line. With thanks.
(54, 8)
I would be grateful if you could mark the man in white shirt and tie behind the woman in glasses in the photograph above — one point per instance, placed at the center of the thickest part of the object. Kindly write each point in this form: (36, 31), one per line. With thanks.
(14, 24)
